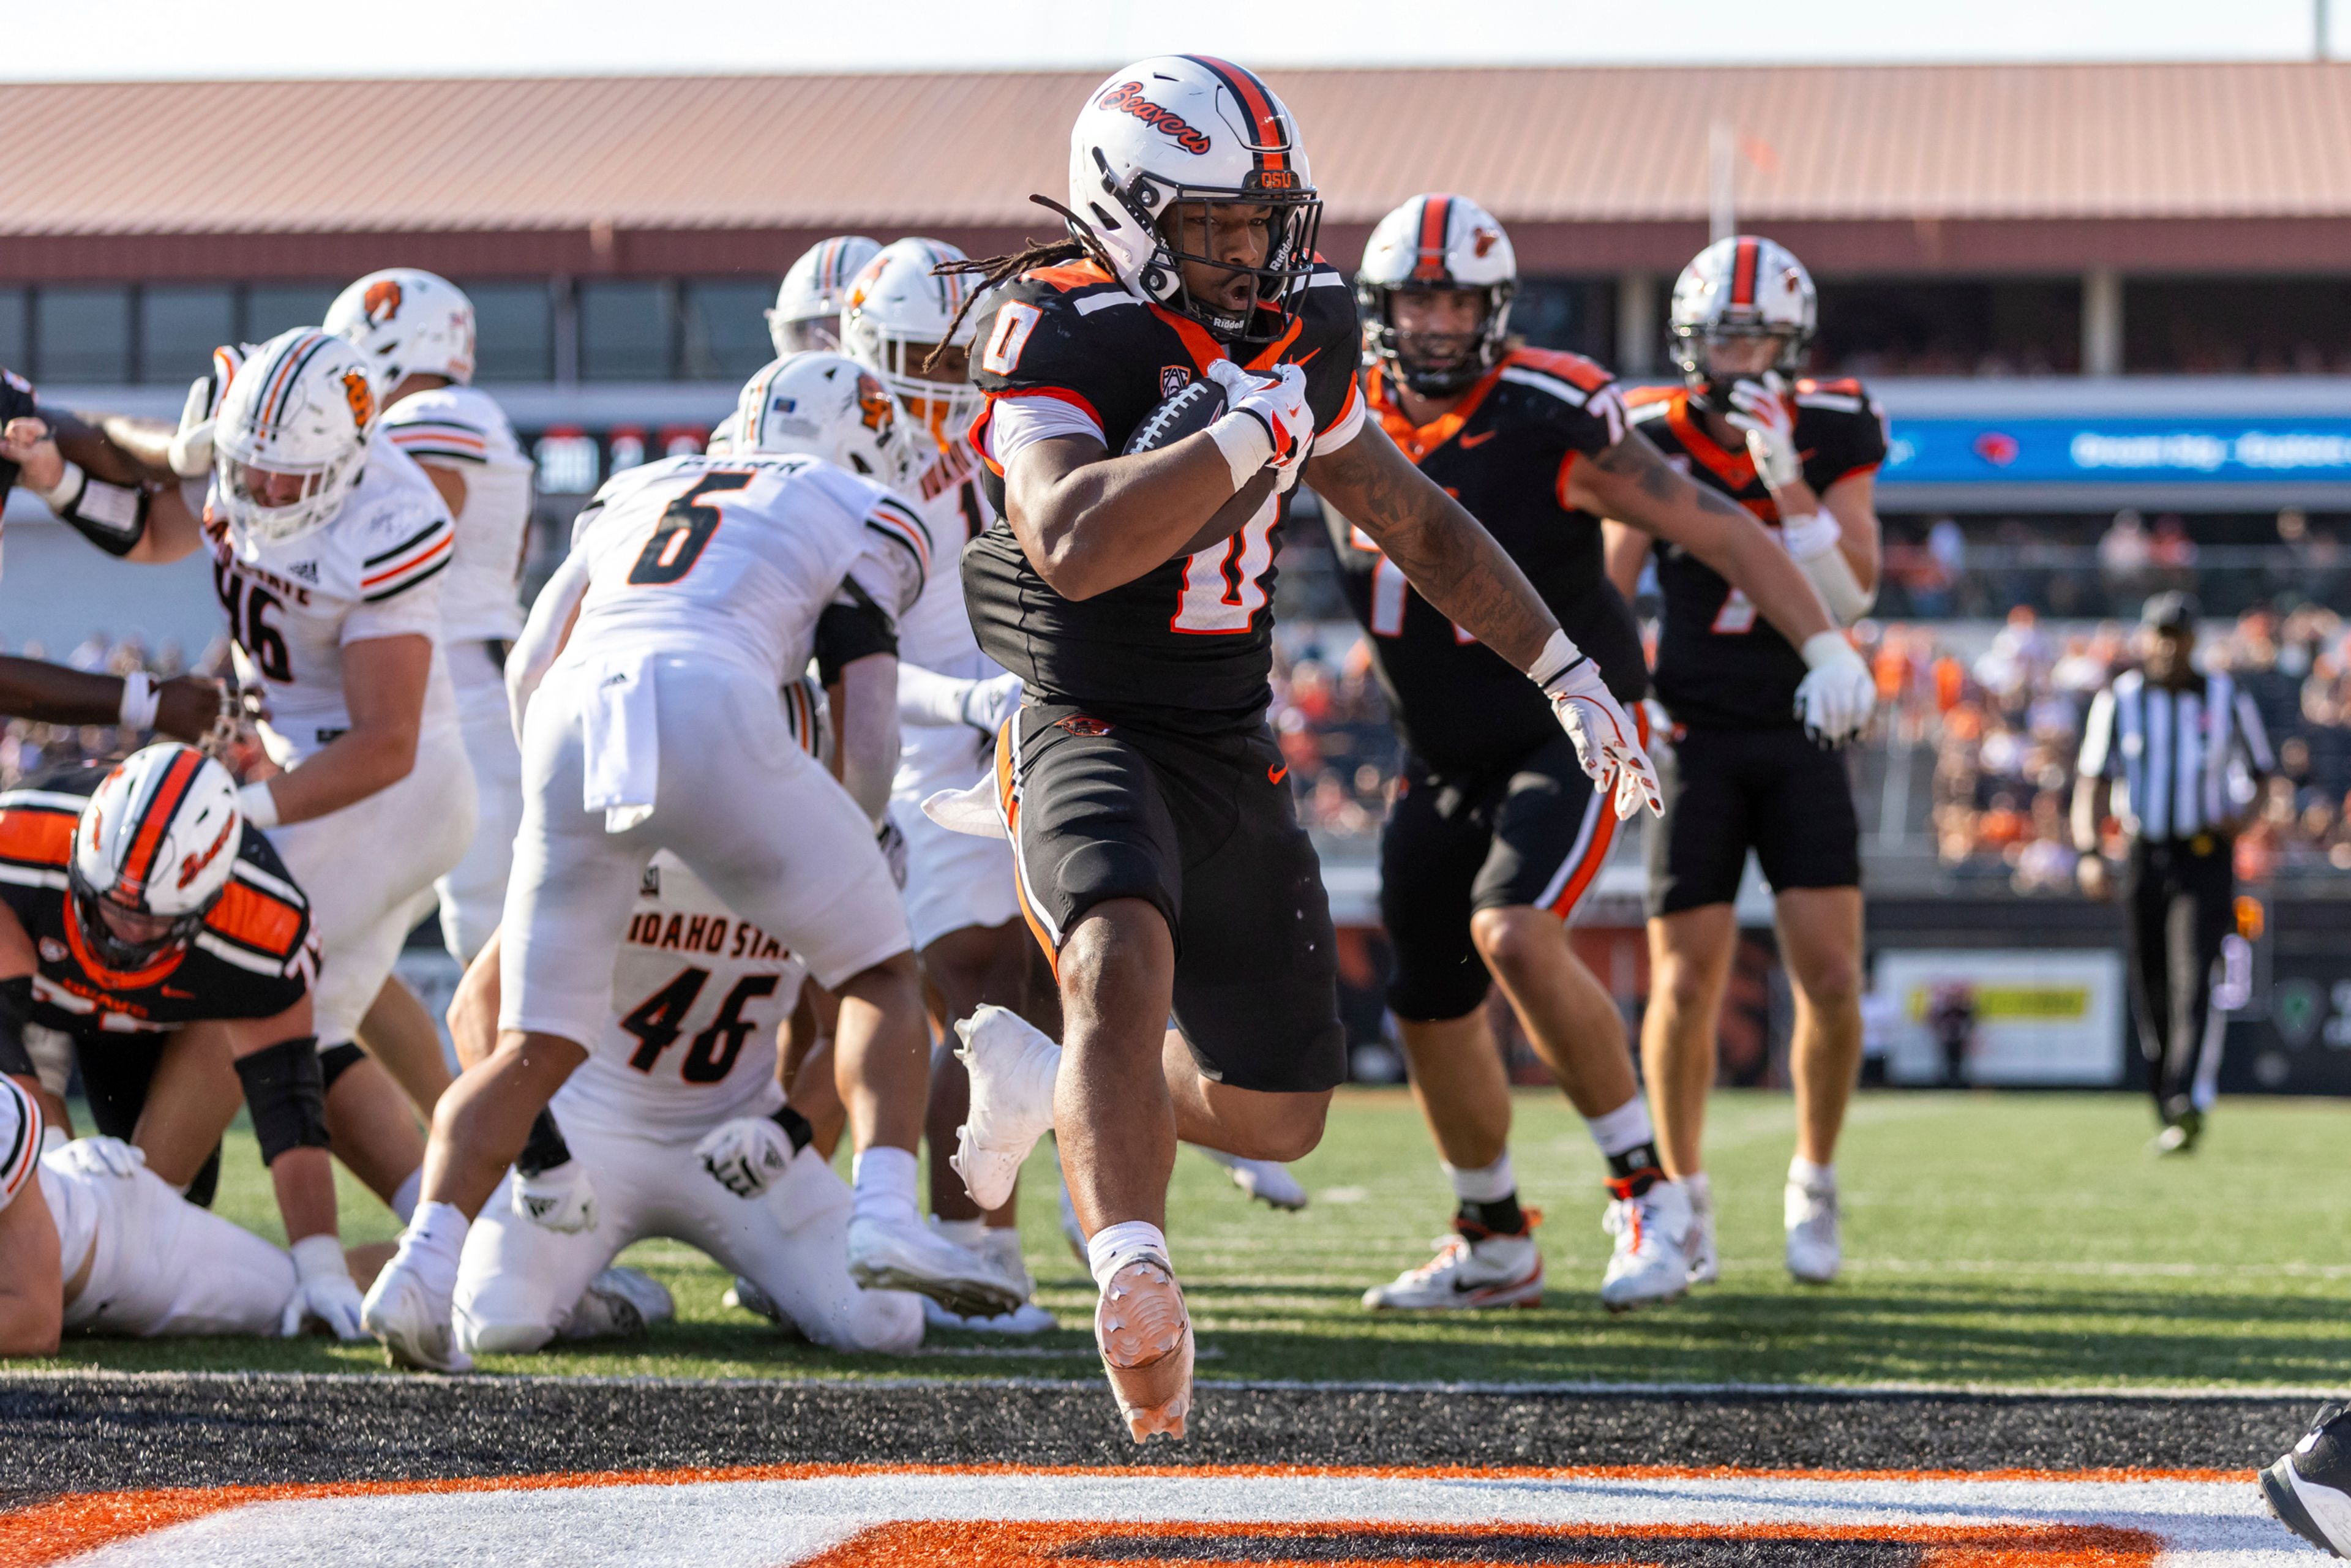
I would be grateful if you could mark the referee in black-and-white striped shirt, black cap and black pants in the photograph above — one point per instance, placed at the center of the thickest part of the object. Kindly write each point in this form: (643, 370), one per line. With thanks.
(2183, 758)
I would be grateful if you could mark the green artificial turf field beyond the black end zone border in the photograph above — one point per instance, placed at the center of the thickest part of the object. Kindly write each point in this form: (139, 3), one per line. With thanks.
(1990, 1240)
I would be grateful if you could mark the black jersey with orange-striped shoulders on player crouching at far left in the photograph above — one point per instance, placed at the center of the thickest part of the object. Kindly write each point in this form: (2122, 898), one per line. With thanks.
(250, 960)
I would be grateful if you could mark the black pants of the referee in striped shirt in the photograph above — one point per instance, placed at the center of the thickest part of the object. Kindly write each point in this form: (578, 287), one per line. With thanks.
(2183, 904)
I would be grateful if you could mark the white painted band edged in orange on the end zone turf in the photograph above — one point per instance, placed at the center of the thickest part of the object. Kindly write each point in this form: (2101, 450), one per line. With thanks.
(725, 1525)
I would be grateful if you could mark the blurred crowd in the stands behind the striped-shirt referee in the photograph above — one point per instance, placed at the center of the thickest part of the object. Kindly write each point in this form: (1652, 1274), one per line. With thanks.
(2007, 728)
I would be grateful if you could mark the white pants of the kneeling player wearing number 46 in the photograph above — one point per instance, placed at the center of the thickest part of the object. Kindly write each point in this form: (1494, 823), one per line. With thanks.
(518, 1282)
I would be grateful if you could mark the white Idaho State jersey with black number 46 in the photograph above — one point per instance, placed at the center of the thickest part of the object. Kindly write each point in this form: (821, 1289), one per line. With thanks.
(697, 998)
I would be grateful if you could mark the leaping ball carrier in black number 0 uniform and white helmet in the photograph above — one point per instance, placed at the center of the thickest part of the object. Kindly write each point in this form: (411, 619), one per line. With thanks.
(1156, 840)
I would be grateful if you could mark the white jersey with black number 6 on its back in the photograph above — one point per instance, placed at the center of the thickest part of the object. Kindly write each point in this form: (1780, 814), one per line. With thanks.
(735, 558)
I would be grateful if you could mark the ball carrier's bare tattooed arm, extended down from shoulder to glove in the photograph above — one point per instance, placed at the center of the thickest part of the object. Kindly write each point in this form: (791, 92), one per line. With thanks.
(1435, 542)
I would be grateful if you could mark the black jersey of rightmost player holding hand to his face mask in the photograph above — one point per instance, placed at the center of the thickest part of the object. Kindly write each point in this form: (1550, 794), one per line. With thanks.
(1717, 659)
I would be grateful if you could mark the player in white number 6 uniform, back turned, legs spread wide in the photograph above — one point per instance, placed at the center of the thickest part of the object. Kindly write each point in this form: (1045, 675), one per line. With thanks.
(699, 589)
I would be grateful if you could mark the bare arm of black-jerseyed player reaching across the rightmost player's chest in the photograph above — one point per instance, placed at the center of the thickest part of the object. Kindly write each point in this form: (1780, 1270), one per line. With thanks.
(1635, 485)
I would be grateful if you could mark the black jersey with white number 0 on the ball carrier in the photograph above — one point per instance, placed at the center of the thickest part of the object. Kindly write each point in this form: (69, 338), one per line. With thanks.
(1188, 645)
